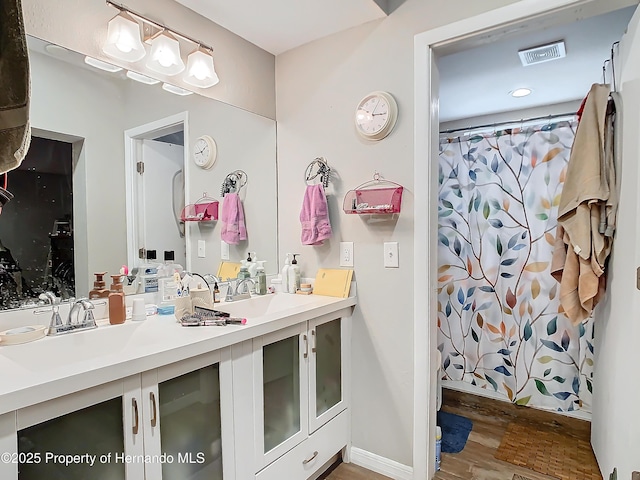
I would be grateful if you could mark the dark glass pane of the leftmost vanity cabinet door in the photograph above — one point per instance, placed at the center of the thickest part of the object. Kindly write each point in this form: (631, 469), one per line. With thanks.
(93, 434)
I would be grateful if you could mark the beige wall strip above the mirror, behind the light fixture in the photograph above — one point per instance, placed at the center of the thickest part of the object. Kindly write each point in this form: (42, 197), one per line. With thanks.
(246, 71)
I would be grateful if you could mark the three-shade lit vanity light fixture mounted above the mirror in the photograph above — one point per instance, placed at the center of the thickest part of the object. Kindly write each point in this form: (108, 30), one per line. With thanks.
(164, 54)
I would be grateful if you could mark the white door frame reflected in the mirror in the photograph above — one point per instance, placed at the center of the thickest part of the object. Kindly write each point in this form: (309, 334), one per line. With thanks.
(132, 154)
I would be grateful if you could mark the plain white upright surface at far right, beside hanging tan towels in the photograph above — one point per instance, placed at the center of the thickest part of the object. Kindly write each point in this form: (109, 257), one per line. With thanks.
(615, 432)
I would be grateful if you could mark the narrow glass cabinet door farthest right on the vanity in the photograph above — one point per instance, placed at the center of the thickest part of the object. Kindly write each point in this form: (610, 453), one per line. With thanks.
(326, 376)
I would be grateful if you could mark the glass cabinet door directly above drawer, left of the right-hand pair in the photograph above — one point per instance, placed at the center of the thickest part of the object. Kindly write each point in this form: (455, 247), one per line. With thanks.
(281, 422)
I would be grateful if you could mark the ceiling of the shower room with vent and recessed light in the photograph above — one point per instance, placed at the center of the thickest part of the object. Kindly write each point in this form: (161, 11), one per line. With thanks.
(477, 81)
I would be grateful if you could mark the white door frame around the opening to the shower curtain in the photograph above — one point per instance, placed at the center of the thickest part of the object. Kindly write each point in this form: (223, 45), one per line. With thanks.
(501, 21)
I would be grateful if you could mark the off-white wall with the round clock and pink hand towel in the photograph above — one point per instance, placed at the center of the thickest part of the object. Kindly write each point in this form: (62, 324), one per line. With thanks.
(318, 88)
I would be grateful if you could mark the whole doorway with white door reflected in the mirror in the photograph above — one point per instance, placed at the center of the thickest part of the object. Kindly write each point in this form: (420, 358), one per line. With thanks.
(155, 160)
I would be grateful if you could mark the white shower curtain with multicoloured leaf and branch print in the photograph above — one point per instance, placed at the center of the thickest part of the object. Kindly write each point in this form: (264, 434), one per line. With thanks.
(500, 323)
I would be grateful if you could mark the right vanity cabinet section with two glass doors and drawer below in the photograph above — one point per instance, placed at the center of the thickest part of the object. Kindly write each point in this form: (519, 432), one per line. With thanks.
(300, 397)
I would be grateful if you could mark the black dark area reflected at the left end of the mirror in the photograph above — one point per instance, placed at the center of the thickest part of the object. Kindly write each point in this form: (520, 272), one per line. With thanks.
(36, 227)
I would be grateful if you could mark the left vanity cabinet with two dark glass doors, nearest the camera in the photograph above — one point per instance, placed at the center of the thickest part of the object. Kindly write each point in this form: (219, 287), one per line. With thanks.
(170, 423)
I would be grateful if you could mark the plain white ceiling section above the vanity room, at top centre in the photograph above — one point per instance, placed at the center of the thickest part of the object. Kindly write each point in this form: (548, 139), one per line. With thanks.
(280, 25)
